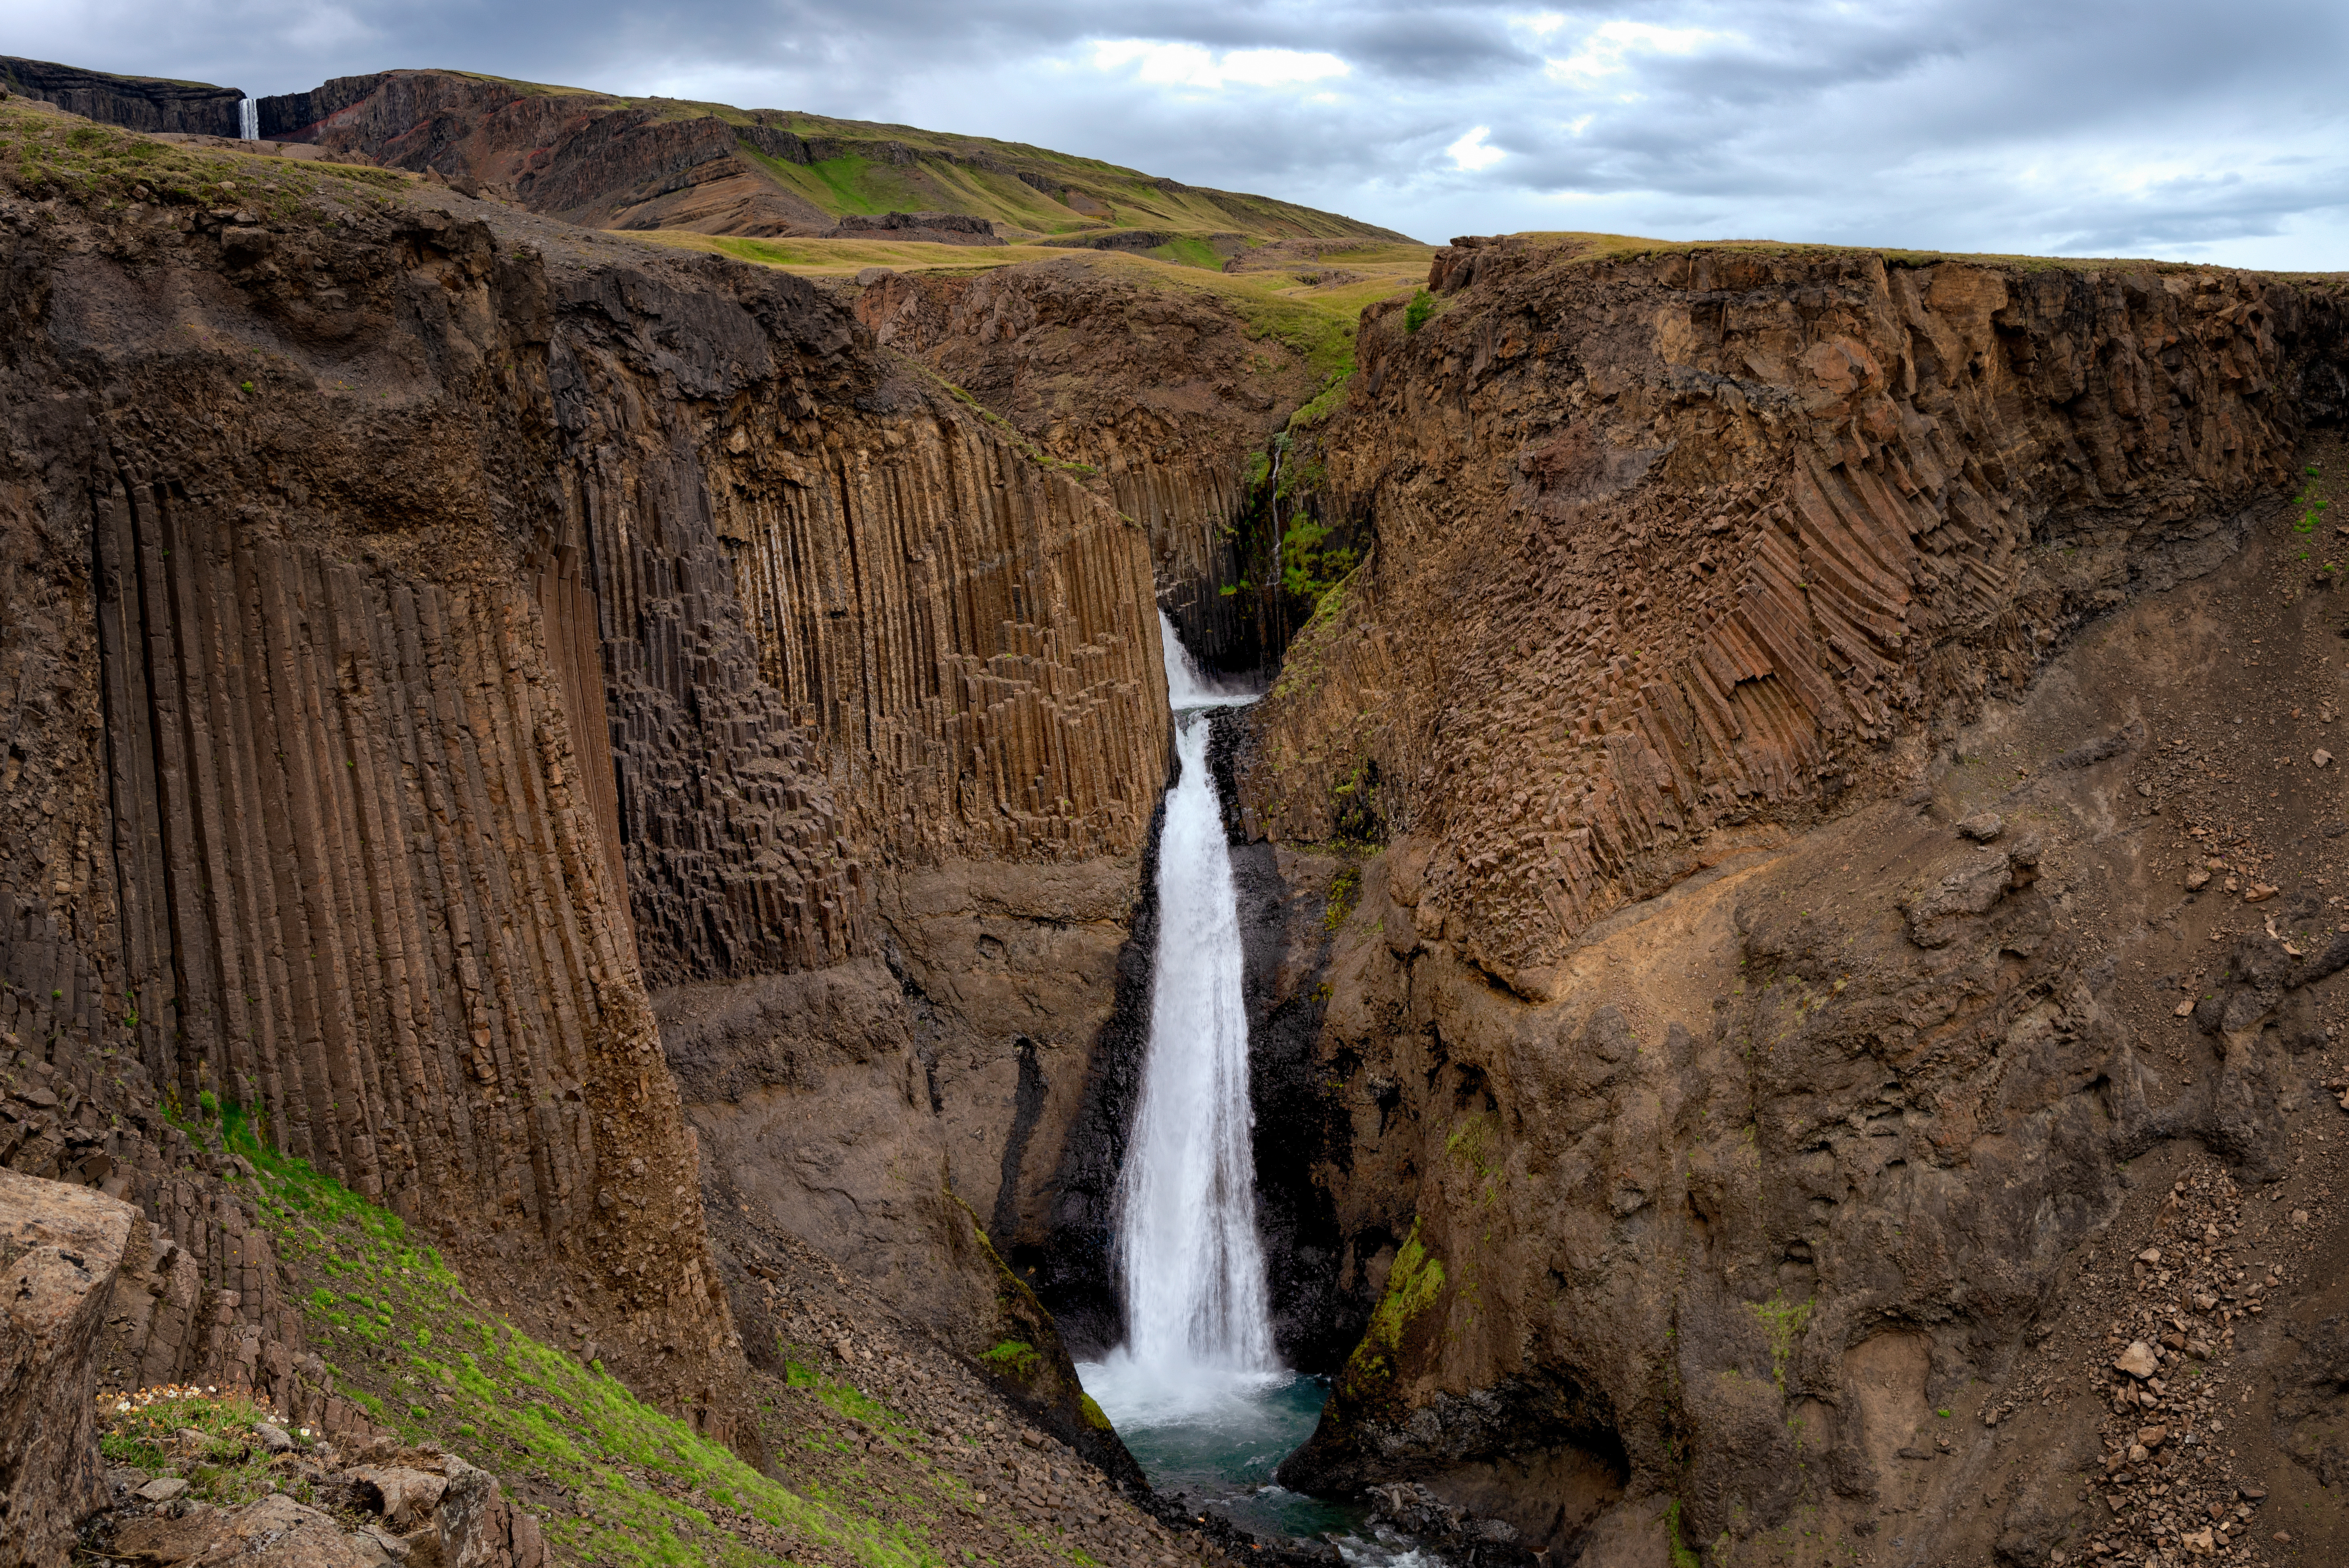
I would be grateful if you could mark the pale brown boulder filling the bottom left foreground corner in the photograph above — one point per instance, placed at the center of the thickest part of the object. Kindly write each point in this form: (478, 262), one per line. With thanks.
(60, 1250)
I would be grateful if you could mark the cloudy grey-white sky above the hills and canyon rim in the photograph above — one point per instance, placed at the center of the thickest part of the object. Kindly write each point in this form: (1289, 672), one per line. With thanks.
(2160, 128)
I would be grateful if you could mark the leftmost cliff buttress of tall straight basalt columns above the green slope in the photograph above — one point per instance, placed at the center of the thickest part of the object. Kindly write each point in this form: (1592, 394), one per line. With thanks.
(307, 827)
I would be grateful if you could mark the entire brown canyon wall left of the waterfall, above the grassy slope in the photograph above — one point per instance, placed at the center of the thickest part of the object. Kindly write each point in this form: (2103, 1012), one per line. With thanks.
(455, 661)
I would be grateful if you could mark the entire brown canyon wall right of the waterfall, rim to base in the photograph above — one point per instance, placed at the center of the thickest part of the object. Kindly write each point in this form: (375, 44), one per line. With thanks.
(1707, 1109)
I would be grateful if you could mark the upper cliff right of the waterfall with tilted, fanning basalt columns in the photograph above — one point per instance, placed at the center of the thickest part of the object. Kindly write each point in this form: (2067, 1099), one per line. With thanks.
(1711, 532)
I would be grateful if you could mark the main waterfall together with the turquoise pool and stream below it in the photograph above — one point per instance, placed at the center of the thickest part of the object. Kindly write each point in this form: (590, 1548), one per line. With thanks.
(1197, 1391)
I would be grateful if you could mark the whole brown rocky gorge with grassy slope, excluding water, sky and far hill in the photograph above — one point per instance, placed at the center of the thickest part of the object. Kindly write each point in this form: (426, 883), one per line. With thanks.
(581, 818)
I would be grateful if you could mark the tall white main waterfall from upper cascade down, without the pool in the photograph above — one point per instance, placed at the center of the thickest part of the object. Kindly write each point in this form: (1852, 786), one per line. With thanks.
(1187, 1201)
